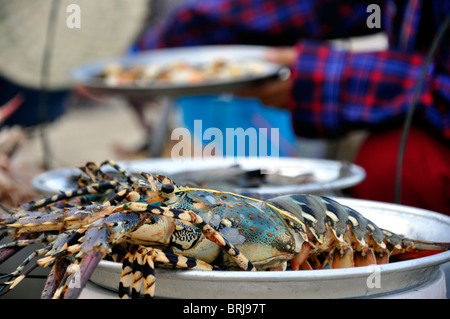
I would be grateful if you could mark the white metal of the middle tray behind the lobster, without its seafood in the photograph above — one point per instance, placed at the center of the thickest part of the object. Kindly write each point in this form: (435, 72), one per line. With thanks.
(329, 175)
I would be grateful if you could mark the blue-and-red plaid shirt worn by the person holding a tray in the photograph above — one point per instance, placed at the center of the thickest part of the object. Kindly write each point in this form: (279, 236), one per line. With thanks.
(334, 91)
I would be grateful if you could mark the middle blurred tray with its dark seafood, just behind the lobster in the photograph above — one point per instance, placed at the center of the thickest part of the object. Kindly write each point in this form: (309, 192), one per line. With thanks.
(261, 177)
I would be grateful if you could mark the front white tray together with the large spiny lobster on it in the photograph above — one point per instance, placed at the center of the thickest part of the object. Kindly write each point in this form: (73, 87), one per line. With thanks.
(145, 235)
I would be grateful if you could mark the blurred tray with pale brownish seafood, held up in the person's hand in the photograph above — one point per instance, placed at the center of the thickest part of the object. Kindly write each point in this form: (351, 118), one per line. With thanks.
(181, 71)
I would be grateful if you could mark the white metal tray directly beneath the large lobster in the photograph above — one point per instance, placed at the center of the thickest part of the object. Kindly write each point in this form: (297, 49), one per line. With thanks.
(333, 283)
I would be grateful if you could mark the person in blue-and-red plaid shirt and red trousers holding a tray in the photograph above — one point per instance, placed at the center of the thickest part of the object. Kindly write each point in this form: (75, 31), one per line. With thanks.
(332, 92)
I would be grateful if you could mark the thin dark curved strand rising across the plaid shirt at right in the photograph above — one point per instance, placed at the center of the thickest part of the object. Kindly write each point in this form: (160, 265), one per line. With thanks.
(409, 115)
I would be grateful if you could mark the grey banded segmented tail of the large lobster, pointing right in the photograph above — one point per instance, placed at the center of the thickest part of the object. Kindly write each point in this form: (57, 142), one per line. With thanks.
(353, 234)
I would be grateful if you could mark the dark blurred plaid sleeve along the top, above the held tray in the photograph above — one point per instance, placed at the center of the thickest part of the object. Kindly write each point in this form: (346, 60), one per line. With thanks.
(276, 23)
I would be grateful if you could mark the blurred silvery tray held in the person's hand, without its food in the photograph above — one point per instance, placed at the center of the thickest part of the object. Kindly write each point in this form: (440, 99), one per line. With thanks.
(88, 74)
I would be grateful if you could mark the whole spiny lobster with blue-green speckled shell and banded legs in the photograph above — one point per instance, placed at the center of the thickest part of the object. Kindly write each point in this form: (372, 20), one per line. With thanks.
(146, 220)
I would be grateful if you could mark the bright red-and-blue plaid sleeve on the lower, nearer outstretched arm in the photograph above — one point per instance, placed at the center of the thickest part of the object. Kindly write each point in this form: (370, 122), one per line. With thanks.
(335, 91)
